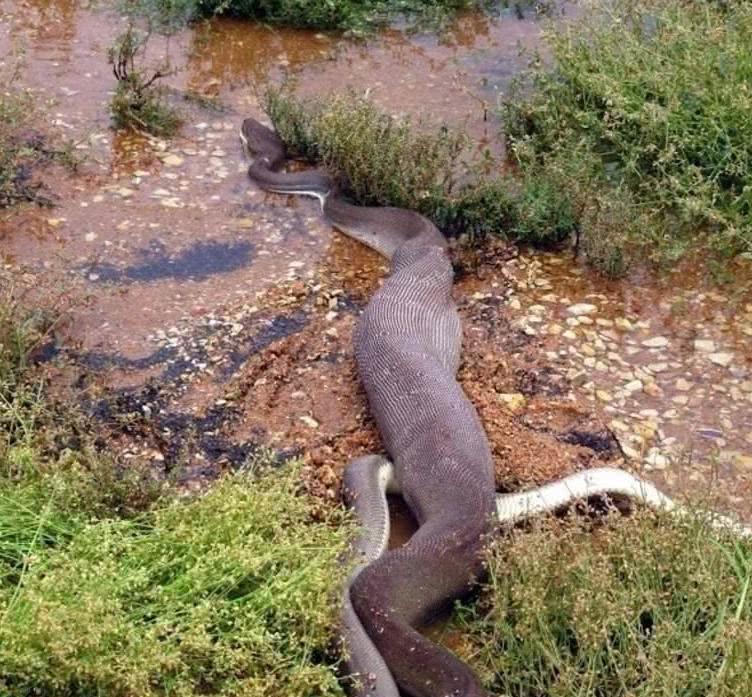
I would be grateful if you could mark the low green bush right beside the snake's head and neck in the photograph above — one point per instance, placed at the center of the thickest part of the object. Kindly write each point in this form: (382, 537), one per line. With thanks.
(384, 161)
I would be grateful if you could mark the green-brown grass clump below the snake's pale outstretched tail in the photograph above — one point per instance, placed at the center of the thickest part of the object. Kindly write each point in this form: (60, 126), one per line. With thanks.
(643, 607)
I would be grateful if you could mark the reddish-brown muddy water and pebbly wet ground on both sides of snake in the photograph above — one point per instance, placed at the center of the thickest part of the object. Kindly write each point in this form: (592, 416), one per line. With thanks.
(211, 317)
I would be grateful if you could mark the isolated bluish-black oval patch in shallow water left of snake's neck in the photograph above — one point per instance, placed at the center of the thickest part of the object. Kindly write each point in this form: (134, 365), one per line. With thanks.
(196, 263)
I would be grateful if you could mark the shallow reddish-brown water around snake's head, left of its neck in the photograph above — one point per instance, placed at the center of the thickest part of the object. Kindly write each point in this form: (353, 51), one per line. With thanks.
(189, 196)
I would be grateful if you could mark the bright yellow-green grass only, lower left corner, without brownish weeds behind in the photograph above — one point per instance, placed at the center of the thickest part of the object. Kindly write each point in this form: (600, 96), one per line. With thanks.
(232, 593)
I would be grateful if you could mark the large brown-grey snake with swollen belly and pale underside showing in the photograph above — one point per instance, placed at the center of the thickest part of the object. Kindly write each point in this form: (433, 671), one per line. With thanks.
(407, 348)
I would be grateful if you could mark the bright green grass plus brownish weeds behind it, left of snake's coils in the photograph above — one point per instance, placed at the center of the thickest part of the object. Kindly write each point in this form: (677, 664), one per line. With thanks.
(111, 584)
